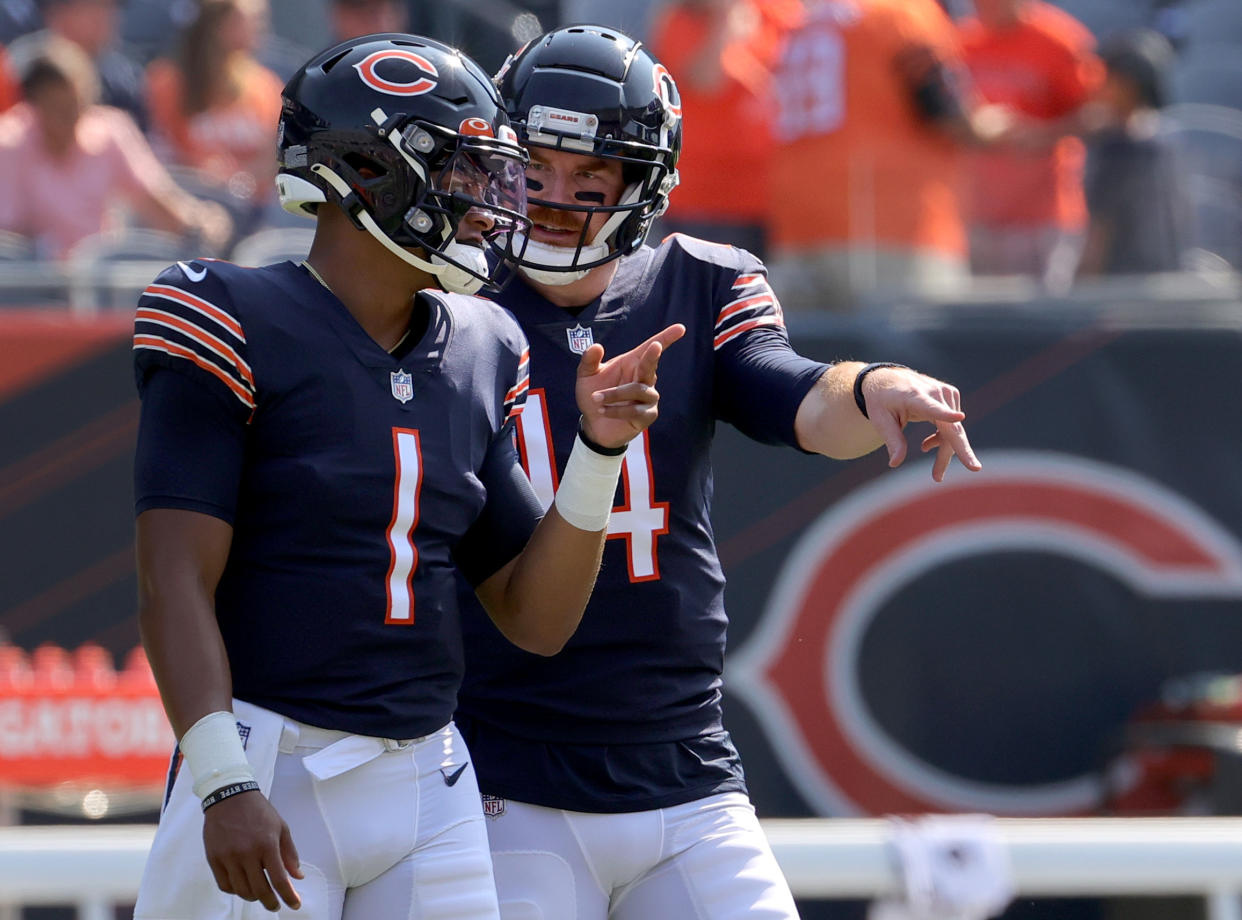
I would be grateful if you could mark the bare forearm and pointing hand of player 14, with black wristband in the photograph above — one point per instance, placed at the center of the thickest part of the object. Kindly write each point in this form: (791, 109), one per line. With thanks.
(830, 422)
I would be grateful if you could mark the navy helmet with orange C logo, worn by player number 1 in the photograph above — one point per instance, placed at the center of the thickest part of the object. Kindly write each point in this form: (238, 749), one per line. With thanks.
(407, 136)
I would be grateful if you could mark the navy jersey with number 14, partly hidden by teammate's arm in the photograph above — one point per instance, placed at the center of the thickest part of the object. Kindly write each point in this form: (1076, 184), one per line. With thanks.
(643, 674)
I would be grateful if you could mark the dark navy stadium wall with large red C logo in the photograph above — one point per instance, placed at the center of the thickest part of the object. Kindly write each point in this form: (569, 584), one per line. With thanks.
(897, 646)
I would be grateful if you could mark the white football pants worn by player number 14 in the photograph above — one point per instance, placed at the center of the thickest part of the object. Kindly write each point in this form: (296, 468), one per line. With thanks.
(701, 861)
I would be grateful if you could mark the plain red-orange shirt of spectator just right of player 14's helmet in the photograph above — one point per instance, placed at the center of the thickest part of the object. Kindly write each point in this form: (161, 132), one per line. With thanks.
(726, 138)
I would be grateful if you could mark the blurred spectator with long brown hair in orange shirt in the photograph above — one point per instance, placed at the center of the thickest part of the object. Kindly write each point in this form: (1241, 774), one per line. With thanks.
(215, 107)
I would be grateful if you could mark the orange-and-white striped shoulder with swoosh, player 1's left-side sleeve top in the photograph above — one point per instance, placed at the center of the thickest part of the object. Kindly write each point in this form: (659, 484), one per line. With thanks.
(187, 318)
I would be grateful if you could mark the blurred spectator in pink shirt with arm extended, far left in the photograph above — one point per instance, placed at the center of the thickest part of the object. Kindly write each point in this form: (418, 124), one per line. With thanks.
(68, 163)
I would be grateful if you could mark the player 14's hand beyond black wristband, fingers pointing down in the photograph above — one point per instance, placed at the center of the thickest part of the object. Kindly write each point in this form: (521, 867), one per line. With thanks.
(896, 397)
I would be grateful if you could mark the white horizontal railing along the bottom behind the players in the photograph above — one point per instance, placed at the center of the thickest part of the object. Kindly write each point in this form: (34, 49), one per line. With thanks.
(96, 867)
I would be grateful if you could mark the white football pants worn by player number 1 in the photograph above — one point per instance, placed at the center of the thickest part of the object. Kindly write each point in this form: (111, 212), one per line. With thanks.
(384, 830)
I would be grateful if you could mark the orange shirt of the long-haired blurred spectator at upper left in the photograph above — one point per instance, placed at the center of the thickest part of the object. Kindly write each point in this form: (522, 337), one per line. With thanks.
(220, 141)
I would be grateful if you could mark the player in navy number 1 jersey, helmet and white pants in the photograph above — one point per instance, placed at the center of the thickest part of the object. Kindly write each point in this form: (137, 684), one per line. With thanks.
(322, 448)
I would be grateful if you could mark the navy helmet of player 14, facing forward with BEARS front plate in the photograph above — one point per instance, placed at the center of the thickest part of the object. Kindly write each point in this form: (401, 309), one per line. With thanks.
(596, 91)
